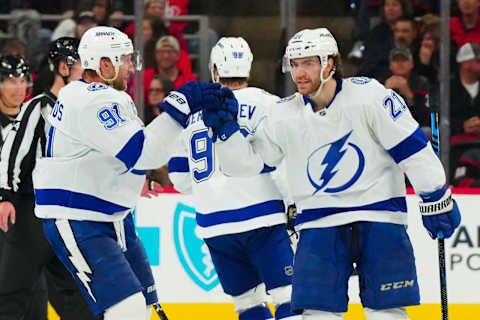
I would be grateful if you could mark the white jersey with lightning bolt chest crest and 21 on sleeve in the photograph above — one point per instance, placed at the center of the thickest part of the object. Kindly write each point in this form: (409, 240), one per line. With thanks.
(346, 162)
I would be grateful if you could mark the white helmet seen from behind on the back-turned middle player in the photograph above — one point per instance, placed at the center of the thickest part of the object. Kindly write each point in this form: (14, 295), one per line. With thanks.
(232, 57)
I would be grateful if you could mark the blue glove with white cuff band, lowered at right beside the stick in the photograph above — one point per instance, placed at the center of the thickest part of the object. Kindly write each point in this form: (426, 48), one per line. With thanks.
(440, 214)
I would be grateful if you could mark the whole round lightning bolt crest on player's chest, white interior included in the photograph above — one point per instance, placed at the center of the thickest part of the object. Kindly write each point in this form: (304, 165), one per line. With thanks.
(336, 166)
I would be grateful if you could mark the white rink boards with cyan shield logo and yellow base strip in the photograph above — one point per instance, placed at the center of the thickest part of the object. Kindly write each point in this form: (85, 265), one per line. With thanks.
(189, 289)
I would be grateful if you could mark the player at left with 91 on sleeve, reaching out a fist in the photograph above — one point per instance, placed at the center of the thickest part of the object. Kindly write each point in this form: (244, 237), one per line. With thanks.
(96, 156)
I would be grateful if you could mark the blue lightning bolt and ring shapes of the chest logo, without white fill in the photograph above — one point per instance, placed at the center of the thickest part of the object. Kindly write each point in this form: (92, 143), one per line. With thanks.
(336, 151)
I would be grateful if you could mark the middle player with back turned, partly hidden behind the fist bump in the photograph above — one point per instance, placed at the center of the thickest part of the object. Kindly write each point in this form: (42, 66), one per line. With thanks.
(242, 220)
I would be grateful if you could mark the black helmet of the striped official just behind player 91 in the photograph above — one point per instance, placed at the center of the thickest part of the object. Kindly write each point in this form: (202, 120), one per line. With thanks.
(64, 48)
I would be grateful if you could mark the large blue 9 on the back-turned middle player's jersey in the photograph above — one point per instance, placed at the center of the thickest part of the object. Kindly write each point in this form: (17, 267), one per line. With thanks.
(201, 147)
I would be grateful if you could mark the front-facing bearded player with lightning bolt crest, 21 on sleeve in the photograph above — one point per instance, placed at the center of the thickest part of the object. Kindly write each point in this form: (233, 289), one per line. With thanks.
(347, 144)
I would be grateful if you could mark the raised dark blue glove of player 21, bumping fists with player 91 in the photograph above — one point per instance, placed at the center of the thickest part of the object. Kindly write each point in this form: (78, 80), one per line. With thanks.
(222, 119)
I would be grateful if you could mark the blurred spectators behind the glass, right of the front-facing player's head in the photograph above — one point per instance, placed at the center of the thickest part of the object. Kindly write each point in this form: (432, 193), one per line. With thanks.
(402, 52)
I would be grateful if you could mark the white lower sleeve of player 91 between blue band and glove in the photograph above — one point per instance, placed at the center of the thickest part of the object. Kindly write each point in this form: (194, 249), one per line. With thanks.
(160, 137)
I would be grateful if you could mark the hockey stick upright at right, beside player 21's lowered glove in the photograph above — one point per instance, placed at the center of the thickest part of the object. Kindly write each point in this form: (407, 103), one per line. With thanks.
(441, 240)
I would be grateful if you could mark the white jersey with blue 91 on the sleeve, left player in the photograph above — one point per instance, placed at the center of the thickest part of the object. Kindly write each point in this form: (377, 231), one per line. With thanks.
(97, 154)
